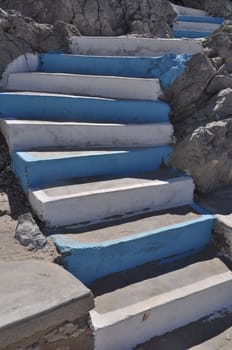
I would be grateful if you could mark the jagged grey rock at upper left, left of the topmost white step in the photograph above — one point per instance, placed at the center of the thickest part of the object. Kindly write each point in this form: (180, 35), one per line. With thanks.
(19, 35)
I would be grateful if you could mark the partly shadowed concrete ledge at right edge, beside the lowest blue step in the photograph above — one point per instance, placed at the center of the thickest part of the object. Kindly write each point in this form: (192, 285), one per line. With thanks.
(220, 204)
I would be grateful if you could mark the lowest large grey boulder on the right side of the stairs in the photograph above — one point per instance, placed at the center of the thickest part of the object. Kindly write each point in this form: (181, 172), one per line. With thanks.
(207, 155)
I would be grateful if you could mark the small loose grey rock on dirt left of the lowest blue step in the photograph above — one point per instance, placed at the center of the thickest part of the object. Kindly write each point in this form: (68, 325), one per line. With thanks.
(28, 232)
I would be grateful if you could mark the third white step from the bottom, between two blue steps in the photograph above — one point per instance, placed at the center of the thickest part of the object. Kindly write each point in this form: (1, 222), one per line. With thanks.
(25, 134)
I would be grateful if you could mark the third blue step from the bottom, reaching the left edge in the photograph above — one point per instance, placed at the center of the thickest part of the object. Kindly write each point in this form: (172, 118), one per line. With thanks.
(54, 107)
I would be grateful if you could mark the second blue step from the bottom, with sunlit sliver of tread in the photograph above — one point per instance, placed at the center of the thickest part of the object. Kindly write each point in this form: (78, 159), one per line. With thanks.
(36, 169)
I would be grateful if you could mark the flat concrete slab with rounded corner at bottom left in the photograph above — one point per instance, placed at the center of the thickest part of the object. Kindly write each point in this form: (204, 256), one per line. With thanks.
(35, 297)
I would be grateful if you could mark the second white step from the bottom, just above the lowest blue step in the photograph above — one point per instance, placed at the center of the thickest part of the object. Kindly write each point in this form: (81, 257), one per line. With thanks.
(102, 199)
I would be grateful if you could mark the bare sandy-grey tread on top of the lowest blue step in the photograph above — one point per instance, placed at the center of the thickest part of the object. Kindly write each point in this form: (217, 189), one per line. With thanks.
(122, 228)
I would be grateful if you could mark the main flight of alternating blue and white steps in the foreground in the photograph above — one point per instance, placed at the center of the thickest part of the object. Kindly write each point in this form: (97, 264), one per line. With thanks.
(90, 141)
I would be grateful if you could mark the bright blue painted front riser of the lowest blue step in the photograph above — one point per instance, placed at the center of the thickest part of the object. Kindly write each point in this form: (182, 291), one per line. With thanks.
(89, 262)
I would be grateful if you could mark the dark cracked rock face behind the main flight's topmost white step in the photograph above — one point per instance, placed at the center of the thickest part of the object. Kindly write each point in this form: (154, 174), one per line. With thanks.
(101, 17)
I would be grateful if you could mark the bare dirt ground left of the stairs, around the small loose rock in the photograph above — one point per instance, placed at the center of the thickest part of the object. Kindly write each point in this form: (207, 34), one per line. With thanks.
(12, 204)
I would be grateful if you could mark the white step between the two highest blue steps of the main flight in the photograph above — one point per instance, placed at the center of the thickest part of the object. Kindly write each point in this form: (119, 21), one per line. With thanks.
(86, 85)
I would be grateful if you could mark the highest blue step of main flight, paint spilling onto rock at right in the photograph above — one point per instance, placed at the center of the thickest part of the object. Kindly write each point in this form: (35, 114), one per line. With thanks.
(166, 68)
